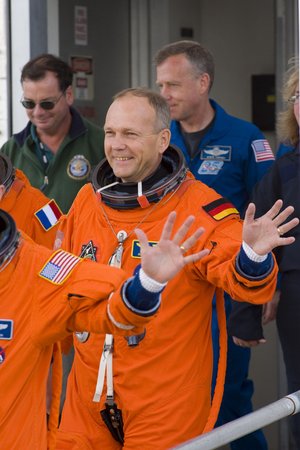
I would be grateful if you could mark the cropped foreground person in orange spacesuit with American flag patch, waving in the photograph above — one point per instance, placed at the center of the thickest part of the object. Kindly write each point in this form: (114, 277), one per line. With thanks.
(46, 295)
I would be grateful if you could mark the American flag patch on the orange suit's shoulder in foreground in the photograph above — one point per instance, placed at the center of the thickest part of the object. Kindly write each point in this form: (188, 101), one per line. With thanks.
(59, 266)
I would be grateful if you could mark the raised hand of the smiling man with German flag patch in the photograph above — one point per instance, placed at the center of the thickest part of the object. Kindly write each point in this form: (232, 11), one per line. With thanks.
(267, 232)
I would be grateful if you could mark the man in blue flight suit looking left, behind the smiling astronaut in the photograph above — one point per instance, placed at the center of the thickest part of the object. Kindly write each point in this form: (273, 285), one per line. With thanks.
(230, 155)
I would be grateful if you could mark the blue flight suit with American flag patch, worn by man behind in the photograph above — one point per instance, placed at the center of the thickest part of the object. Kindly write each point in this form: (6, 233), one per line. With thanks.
(233, 155)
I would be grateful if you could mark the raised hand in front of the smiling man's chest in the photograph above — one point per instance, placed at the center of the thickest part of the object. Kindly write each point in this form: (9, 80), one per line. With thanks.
(164, 260)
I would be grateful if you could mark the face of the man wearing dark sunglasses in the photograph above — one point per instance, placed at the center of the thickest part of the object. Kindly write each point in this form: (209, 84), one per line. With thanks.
(47, 121)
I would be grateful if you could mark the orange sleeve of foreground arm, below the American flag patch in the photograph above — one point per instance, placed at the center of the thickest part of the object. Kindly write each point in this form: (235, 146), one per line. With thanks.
(80, 304)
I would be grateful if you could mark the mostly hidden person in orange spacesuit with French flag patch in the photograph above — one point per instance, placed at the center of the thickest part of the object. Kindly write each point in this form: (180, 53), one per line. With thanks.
(33, 212)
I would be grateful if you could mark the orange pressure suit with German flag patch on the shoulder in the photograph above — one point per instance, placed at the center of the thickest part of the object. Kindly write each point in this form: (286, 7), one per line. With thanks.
(163, 384)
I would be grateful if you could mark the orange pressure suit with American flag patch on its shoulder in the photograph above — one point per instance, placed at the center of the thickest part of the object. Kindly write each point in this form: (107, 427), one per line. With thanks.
(36, 311)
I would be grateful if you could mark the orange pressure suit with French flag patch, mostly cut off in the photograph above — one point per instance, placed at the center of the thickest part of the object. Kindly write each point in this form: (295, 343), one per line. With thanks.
(22, 201)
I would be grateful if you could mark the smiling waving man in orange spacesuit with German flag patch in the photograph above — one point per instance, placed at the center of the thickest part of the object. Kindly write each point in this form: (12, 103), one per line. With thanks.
(158, 386)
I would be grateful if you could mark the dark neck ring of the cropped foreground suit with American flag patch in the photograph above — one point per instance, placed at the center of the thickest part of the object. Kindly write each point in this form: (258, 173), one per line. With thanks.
(9, 237)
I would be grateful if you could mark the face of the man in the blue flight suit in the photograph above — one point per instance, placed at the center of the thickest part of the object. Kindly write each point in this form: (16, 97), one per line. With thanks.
(183, 90)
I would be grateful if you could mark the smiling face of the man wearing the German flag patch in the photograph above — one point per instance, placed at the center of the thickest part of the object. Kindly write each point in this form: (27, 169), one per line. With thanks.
(133, 147)
